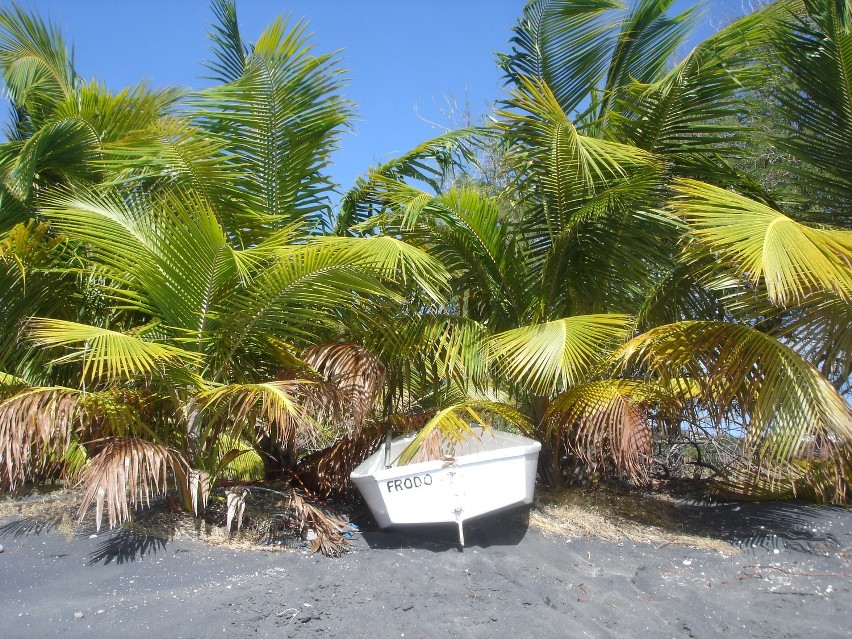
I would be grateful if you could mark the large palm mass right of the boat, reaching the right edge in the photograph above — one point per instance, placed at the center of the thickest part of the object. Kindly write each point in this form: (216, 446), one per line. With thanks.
(613, 290)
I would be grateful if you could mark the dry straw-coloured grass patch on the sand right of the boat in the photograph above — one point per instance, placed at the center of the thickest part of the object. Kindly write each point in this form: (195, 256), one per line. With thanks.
(639, 517)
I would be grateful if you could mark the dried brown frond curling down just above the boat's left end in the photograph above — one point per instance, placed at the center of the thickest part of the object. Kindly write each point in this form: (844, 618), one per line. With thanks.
(355, 371)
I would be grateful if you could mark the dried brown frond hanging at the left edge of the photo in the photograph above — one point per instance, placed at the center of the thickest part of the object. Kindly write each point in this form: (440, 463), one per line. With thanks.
(35, 425)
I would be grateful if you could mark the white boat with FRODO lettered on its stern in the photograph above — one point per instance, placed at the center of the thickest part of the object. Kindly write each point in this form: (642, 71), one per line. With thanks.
(489, 471)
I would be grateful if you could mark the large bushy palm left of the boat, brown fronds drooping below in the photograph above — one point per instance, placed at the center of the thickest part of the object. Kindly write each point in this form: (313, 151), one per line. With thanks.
(195, 238)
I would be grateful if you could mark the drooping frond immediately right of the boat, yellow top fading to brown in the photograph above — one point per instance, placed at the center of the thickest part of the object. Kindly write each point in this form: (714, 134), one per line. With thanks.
(604, 423)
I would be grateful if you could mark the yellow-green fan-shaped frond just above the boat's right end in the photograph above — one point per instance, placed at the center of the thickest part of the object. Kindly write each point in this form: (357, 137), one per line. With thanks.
(549, 357)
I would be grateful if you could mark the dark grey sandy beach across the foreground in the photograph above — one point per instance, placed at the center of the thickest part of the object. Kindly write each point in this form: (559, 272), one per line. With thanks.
(787, 574)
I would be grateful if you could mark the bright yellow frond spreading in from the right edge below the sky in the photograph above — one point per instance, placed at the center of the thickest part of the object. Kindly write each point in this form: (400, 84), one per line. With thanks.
(764, 246)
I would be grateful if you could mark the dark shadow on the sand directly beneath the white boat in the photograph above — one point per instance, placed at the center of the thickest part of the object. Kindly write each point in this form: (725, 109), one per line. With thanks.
(500, 529)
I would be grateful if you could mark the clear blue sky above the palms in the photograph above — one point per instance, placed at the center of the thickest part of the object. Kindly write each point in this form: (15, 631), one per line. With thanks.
(405, 57)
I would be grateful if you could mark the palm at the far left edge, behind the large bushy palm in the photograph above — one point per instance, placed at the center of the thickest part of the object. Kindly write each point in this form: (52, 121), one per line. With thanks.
(61, 129)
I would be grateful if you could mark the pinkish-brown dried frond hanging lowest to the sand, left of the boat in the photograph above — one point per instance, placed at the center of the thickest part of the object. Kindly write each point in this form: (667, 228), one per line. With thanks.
(127, 471)
